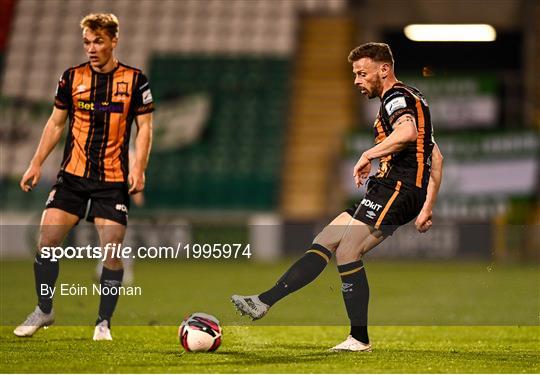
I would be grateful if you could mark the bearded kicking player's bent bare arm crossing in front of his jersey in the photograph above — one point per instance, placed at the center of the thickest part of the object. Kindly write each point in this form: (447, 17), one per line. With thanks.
(404, 132)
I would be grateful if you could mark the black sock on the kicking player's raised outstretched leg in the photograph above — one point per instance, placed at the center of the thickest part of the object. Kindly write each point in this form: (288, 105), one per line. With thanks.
(301, 273)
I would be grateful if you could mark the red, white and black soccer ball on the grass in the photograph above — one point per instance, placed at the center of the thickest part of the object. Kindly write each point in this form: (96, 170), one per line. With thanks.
(200, 332)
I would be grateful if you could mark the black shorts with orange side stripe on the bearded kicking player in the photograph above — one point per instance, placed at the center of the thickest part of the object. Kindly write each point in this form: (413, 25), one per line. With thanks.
(388, 204)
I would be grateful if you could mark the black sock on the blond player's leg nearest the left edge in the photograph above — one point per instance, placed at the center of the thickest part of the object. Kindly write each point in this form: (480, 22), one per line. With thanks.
(45, 275)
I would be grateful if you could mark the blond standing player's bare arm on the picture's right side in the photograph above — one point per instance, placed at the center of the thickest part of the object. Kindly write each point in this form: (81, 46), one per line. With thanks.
(143, 144)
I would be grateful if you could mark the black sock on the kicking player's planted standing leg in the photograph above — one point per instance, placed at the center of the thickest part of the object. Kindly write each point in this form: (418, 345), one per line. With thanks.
(355, 290)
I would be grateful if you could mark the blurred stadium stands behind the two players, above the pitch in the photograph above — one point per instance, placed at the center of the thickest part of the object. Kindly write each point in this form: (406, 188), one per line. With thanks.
(258, 124)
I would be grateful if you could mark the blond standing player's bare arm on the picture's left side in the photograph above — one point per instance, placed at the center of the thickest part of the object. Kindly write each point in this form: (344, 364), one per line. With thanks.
(49, 139)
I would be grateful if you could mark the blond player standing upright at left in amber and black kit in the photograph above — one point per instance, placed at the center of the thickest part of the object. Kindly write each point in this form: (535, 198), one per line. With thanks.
(100, 98)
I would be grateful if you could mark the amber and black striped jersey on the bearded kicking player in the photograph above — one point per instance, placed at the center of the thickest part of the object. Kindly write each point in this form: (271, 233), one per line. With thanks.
(412, 165)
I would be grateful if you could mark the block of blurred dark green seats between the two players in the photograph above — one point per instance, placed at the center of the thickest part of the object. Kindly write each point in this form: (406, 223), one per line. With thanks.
(237, 162)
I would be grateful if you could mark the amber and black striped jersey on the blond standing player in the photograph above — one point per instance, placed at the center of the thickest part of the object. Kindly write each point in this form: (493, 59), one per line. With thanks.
(101, 108)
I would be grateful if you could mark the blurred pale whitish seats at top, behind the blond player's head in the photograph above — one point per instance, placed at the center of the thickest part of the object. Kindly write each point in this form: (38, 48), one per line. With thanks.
(45, 35)
